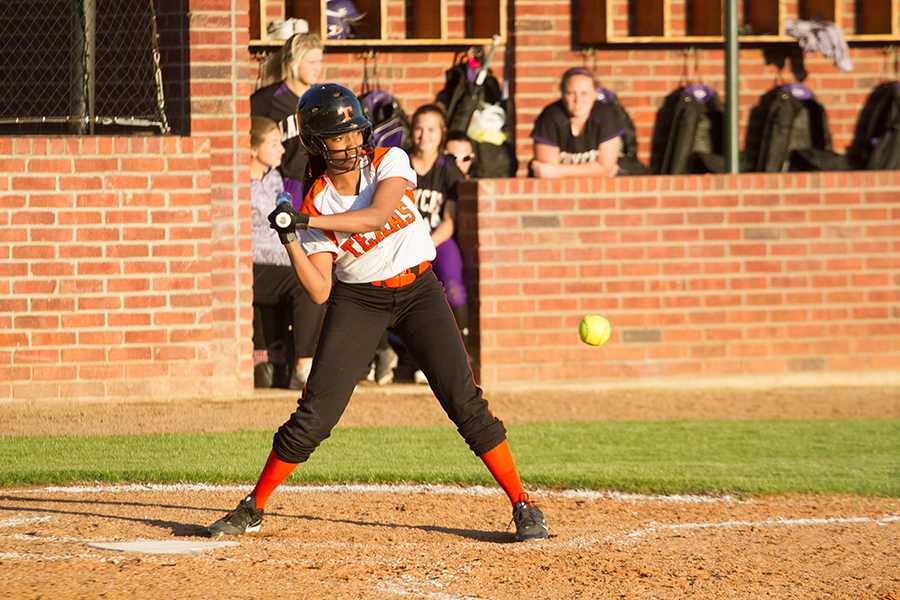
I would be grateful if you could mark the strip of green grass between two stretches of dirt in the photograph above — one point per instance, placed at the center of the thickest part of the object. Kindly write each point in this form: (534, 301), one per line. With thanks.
(860, 457)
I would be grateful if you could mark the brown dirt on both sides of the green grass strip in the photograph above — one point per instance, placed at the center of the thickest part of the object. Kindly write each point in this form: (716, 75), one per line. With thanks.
(451, 543)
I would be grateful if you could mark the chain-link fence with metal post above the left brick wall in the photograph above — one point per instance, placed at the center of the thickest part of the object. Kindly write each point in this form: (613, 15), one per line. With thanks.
(80, 66)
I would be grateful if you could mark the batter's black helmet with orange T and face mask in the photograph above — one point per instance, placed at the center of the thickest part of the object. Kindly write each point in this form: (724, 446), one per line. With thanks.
(327, 111)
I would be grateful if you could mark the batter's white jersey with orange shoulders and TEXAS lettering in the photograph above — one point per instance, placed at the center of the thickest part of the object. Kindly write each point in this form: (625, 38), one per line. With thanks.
(374, 255)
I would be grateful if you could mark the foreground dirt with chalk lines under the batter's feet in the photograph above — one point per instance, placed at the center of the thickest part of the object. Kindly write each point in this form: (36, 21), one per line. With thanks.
(441, 545)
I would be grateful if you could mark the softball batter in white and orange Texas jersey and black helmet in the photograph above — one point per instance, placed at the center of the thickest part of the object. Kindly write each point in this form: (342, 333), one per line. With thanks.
(359, 218)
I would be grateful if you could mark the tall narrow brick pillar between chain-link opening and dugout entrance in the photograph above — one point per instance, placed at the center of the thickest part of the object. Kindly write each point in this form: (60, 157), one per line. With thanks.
(220, 90)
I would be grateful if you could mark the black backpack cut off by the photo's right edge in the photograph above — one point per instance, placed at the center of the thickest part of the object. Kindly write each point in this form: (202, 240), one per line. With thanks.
(876, 142)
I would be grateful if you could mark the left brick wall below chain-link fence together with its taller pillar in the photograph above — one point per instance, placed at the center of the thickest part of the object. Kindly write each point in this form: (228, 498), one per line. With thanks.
(125, 261)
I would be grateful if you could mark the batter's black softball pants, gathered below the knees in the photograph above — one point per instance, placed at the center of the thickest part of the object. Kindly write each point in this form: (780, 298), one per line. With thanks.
(357, 316)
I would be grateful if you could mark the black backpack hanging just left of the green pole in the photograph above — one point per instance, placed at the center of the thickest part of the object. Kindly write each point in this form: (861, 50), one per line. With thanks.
(687, 134)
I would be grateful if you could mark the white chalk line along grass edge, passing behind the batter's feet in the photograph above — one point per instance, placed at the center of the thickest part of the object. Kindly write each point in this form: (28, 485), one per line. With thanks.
(476, 490)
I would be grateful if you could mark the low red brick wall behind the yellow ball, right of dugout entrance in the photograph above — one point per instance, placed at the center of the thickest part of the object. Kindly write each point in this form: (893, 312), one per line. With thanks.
(699, 276)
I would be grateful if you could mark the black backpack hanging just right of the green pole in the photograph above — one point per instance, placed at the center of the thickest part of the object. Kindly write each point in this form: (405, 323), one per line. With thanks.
(788, 131)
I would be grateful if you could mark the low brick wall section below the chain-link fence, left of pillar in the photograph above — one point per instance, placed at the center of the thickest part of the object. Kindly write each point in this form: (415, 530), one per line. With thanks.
(106, 262)
